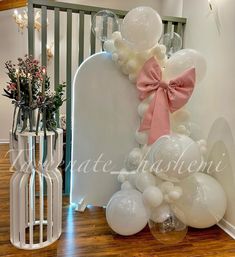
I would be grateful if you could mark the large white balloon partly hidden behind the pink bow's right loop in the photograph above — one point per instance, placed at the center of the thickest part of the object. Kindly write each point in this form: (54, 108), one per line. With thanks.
(183, 60)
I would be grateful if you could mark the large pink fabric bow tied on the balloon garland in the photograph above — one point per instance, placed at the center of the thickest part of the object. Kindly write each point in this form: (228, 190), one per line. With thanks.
(167, 97)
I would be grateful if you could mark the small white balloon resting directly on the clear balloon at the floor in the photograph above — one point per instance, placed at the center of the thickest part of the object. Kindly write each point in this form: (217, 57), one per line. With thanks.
(160, 213)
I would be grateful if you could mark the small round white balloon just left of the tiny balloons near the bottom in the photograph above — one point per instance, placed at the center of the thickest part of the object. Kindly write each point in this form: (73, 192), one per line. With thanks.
(152, 196)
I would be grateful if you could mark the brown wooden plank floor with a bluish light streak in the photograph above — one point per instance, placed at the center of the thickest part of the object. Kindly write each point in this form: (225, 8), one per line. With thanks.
(87, 234)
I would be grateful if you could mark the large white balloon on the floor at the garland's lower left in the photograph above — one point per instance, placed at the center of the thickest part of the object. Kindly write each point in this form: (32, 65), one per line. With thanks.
(126, 213)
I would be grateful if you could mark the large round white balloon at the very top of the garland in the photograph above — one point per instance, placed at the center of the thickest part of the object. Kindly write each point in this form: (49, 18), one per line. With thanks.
(142, 28)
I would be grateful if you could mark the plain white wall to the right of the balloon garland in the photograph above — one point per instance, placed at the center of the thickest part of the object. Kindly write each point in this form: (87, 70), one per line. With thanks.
(215, 96)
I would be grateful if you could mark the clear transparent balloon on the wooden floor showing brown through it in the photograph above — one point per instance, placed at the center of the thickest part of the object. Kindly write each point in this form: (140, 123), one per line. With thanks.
(170, 231)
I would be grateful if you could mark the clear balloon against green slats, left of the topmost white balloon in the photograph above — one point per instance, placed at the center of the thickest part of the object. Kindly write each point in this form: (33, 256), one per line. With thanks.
(104, 23)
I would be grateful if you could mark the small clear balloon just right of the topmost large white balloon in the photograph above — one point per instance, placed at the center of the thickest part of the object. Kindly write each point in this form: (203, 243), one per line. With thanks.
(172, 41)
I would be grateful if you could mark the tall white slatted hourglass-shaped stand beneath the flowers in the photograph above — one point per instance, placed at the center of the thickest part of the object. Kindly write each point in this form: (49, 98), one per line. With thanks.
(35, 189)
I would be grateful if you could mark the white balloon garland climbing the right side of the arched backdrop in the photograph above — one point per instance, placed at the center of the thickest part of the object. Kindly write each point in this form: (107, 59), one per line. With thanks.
(161, 184)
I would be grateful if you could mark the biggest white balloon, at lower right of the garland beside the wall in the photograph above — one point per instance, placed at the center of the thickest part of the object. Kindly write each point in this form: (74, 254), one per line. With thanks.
(203, 203)
